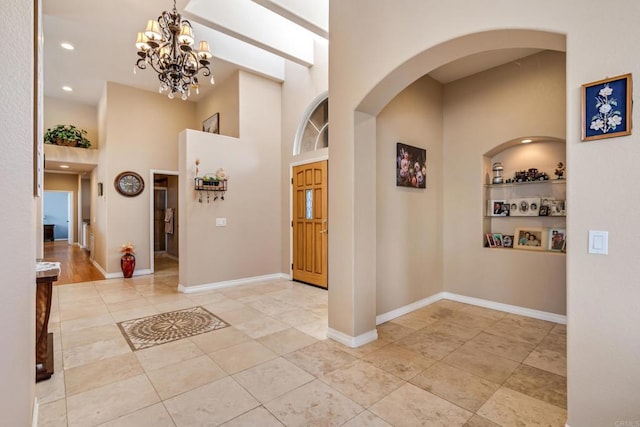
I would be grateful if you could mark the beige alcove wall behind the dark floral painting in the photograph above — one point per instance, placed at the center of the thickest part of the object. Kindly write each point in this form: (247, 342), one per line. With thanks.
(408, 229)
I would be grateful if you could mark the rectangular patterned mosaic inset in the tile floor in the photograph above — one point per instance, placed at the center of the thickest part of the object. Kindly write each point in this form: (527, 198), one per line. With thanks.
(166, 327)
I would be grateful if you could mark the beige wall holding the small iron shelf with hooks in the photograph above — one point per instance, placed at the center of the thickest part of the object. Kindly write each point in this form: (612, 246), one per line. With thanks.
(249, 245)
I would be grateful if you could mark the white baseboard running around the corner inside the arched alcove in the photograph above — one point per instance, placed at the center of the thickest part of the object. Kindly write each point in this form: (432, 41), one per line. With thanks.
(522, 311)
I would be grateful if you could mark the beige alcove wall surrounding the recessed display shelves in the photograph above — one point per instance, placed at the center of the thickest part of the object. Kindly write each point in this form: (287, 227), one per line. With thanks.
(482, 112)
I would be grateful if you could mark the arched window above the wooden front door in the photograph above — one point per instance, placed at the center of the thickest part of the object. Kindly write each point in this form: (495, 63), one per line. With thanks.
(313, 131)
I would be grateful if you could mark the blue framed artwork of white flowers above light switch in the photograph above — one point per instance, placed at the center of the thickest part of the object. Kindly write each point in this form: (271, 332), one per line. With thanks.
(606, 108)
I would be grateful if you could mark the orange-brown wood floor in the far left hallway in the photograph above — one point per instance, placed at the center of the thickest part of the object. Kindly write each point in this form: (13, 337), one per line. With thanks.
(75, 265)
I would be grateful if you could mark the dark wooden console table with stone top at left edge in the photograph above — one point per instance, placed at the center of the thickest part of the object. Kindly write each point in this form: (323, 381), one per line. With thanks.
(46, 274)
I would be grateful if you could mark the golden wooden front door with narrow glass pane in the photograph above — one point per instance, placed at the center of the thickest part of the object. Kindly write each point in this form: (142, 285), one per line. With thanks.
(310, 232)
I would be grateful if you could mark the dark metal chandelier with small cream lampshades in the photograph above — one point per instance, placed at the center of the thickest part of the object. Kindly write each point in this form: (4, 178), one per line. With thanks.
(166, 45)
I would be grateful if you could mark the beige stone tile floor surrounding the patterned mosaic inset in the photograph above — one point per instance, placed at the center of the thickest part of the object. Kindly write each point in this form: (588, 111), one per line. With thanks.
(448, 364)
